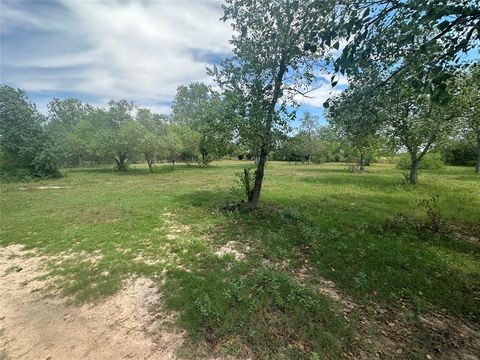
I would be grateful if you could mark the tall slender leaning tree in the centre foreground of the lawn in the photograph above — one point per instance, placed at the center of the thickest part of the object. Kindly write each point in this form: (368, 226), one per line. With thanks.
(273, 61)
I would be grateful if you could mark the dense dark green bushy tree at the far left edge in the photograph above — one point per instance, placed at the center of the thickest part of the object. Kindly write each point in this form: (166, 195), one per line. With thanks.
(24, 142)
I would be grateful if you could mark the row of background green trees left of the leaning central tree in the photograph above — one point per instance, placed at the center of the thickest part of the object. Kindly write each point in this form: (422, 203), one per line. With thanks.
(74, 132)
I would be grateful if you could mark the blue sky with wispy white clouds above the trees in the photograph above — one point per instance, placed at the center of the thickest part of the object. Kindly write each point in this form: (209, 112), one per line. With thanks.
(101, 50)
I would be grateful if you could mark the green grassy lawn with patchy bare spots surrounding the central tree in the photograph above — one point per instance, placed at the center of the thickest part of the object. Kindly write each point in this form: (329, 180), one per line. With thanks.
(334, 264)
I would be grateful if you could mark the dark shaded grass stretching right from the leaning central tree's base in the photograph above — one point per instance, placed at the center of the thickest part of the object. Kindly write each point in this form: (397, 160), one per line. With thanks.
(403, 262)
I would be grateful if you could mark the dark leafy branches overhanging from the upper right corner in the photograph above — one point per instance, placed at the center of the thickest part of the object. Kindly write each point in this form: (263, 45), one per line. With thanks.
(427, 37)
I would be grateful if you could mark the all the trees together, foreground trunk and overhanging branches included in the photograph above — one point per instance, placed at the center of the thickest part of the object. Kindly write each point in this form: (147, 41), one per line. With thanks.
(411, 90)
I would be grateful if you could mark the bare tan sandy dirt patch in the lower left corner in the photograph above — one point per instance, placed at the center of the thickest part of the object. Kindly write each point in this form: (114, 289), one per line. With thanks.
(34, 326)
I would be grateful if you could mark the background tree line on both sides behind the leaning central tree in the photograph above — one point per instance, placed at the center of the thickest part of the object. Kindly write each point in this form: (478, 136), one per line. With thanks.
(362, 125)
